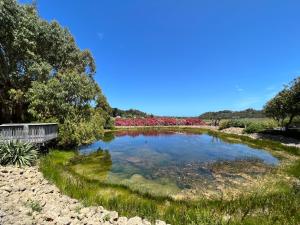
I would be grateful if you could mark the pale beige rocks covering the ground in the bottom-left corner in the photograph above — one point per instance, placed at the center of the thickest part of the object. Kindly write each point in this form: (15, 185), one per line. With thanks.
(28, 199)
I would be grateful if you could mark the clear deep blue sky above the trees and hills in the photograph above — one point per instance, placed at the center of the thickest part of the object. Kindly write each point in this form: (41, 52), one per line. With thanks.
(185, 57)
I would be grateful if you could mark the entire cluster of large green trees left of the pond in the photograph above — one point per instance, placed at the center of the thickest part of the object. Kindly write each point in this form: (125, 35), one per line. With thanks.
(46, 77)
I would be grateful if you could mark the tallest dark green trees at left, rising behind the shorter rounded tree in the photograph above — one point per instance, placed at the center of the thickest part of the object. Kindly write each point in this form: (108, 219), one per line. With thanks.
(32, 49)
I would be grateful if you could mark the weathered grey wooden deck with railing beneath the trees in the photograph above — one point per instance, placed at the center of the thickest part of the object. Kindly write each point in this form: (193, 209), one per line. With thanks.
(37, 133)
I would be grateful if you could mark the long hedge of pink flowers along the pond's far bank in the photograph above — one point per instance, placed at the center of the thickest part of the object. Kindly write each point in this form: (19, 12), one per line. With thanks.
(158, 121)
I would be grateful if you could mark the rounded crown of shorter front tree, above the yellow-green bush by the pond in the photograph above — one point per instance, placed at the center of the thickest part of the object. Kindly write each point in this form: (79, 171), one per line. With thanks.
(67, 95)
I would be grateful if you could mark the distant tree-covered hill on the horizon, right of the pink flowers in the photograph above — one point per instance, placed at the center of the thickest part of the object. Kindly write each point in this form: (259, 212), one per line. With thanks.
(227, 114)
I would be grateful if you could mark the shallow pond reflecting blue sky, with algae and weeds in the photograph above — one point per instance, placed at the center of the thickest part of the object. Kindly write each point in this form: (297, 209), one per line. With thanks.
(169, 163)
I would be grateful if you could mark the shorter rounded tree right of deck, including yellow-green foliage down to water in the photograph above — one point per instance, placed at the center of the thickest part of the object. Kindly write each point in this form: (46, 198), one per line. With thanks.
(66, 99)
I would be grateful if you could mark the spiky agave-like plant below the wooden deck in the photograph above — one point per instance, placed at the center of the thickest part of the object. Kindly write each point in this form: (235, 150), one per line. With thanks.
(17, 153)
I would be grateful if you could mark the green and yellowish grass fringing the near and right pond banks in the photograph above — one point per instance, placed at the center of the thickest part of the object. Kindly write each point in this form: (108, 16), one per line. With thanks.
(281, 205)
